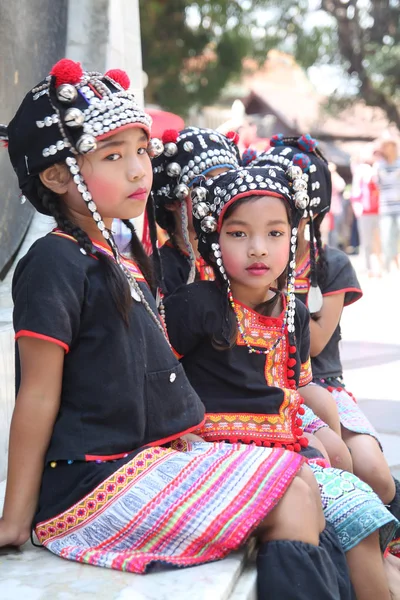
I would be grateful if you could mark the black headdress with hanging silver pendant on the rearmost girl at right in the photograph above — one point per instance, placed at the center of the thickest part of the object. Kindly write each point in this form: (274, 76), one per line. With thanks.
(304, 152)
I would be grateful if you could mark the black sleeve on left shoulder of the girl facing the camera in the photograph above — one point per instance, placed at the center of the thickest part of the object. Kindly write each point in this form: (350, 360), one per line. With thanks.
(193, 313)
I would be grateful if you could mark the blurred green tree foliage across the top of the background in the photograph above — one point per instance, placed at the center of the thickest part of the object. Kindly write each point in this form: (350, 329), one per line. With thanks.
(192, 49)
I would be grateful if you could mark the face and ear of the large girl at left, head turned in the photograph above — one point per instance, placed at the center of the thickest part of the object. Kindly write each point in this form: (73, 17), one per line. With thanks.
(118, 175)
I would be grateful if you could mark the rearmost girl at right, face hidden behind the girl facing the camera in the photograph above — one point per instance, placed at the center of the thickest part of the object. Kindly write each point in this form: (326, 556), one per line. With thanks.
(326, 282)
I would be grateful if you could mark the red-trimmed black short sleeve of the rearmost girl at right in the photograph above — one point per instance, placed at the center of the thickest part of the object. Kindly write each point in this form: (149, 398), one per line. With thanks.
(341, 277)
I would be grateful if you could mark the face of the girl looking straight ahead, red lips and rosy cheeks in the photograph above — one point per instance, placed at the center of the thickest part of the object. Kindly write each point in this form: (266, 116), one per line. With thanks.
(255, 244)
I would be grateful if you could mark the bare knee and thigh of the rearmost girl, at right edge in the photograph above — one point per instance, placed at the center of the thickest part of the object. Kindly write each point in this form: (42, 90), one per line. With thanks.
(369, 464)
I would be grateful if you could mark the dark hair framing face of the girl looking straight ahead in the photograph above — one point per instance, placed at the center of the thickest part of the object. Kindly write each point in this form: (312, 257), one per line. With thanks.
(229, 329)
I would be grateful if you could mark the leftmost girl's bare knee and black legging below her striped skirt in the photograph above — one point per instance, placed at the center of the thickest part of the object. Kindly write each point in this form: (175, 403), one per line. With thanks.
(292, 563)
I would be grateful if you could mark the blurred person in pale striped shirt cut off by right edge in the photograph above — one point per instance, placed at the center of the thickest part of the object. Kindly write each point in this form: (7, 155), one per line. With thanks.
(388, 177)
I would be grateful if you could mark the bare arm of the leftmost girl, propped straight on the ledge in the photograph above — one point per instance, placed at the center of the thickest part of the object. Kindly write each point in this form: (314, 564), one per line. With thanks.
(35, 412)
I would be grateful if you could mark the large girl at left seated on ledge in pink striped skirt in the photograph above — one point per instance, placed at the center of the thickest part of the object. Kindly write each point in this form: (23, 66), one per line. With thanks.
(102, 464)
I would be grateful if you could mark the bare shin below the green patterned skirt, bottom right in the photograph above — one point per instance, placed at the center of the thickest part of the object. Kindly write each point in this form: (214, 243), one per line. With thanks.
(367, 572)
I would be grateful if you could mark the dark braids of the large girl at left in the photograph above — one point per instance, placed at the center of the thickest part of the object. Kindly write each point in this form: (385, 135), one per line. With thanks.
(116, 281)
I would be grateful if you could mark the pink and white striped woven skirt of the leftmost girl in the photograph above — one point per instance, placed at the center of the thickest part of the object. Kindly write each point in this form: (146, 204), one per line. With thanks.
(184, 505)
